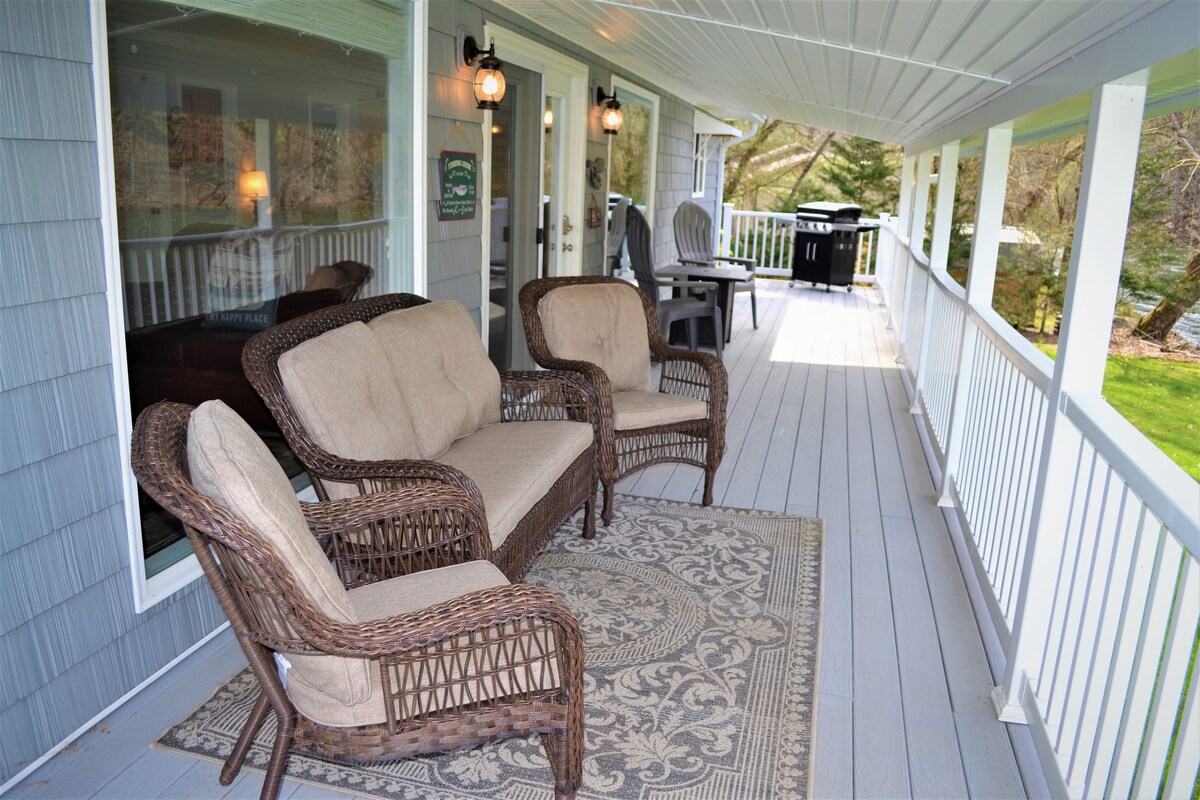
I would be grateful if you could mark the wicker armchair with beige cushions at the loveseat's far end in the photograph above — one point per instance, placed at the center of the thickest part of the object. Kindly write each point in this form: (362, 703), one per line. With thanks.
(608, 332)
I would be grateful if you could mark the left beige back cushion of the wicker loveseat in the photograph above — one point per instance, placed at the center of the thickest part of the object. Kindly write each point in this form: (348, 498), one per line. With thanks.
(347, 398)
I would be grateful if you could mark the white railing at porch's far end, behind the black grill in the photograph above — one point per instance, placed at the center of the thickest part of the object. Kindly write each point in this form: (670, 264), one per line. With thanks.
(767, 238)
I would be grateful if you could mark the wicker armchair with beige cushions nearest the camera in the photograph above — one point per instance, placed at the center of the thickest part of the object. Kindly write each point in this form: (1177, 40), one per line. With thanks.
(446, 654)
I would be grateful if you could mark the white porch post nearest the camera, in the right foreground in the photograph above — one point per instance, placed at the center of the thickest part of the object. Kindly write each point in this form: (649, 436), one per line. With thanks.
(1109, 165)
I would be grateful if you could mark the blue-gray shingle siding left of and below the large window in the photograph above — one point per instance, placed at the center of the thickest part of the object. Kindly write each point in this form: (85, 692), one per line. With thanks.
(70, 641)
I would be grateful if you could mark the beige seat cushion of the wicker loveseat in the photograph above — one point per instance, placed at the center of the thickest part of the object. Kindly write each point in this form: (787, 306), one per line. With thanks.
(515, 465)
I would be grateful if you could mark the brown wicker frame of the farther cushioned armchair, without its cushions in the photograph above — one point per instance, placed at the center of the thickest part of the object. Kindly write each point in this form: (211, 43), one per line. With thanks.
(700, 443)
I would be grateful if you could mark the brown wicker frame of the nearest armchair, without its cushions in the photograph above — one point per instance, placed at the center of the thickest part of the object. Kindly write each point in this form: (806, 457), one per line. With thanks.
(373, 538)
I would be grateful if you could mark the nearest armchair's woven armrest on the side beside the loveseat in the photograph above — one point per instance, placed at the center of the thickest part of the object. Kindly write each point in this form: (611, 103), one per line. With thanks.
(400, 532)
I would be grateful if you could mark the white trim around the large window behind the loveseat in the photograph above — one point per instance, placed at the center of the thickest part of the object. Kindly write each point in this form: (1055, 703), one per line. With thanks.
(149, 592)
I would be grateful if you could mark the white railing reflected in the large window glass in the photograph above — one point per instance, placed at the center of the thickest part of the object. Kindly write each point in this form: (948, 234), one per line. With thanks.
(167, 279)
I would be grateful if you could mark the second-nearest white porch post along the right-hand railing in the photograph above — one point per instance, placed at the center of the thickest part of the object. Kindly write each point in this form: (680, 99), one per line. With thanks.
(998, 146)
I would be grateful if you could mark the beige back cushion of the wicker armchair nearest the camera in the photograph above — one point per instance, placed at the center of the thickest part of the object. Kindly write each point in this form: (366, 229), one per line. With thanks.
(232, 466)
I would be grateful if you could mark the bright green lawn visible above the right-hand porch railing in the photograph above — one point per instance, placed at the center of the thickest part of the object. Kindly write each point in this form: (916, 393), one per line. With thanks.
(1161, 399)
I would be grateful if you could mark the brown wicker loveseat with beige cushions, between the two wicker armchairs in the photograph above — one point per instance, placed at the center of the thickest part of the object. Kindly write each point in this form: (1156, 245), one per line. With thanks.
(398, 390)
